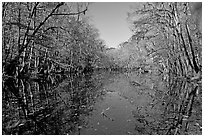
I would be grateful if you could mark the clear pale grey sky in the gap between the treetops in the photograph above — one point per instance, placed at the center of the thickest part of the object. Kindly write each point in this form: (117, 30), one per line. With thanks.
(111, 20)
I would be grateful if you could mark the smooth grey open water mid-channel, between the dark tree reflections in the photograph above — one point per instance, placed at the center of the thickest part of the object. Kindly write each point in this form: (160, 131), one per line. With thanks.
(127, 98)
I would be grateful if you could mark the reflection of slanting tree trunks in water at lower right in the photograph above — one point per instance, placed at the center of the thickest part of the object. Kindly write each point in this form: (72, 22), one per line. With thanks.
(176, 111)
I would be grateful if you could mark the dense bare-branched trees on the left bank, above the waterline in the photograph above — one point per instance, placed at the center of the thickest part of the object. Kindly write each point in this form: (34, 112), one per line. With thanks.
(39, 36)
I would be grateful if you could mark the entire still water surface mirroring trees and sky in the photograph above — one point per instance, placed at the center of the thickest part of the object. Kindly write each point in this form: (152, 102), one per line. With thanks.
(101, 103)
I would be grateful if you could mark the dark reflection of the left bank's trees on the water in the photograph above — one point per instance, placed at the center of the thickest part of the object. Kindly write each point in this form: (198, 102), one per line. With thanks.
(43, 106)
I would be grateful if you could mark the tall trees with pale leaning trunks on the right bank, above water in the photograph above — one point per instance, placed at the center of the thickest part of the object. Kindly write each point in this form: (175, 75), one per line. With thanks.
(172, 36)
